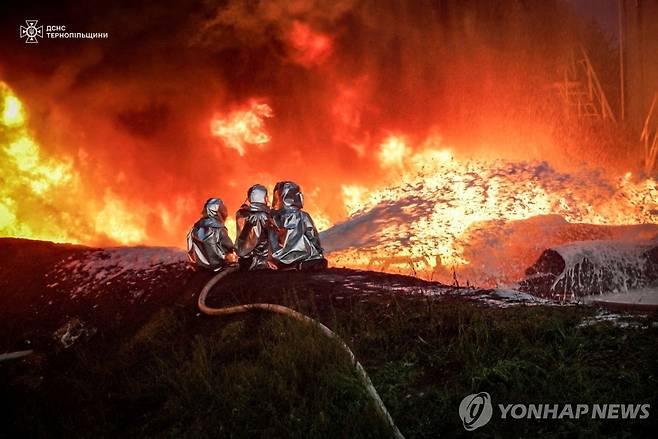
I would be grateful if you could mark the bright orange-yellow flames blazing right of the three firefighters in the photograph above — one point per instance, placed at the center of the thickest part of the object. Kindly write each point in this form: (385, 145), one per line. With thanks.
(438, 206)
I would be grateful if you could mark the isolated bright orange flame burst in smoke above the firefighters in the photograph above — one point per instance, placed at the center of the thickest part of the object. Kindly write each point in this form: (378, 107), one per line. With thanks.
(243, 127)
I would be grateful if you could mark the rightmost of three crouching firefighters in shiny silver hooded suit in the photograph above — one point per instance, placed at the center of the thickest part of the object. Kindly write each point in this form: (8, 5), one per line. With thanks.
(294, 240)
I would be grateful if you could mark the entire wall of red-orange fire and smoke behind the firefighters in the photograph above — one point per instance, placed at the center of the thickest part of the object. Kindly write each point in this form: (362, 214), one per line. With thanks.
(414, 130)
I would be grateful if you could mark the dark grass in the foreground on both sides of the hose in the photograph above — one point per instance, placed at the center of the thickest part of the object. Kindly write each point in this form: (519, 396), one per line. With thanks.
(266, 376)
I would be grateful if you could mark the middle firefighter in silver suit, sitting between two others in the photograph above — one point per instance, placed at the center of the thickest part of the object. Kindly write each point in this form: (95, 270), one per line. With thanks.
(252, 227)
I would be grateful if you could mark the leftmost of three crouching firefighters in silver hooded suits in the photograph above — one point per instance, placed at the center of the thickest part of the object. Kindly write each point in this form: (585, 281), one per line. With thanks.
(208, 243)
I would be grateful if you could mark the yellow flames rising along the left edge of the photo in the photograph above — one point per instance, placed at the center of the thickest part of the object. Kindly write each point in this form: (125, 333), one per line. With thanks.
(44, 198)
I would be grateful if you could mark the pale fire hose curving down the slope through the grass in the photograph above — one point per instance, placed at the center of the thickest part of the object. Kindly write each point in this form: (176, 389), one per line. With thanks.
(279, 309)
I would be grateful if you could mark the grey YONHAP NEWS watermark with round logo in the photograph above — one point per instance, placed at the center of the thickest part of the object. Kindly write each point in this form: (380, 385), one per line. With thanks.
(477, 410)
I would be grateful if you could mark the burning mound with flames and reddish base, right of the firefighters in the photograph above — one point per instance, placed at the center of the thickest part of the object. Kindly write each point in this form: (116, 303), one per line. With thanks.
(486, 222)
